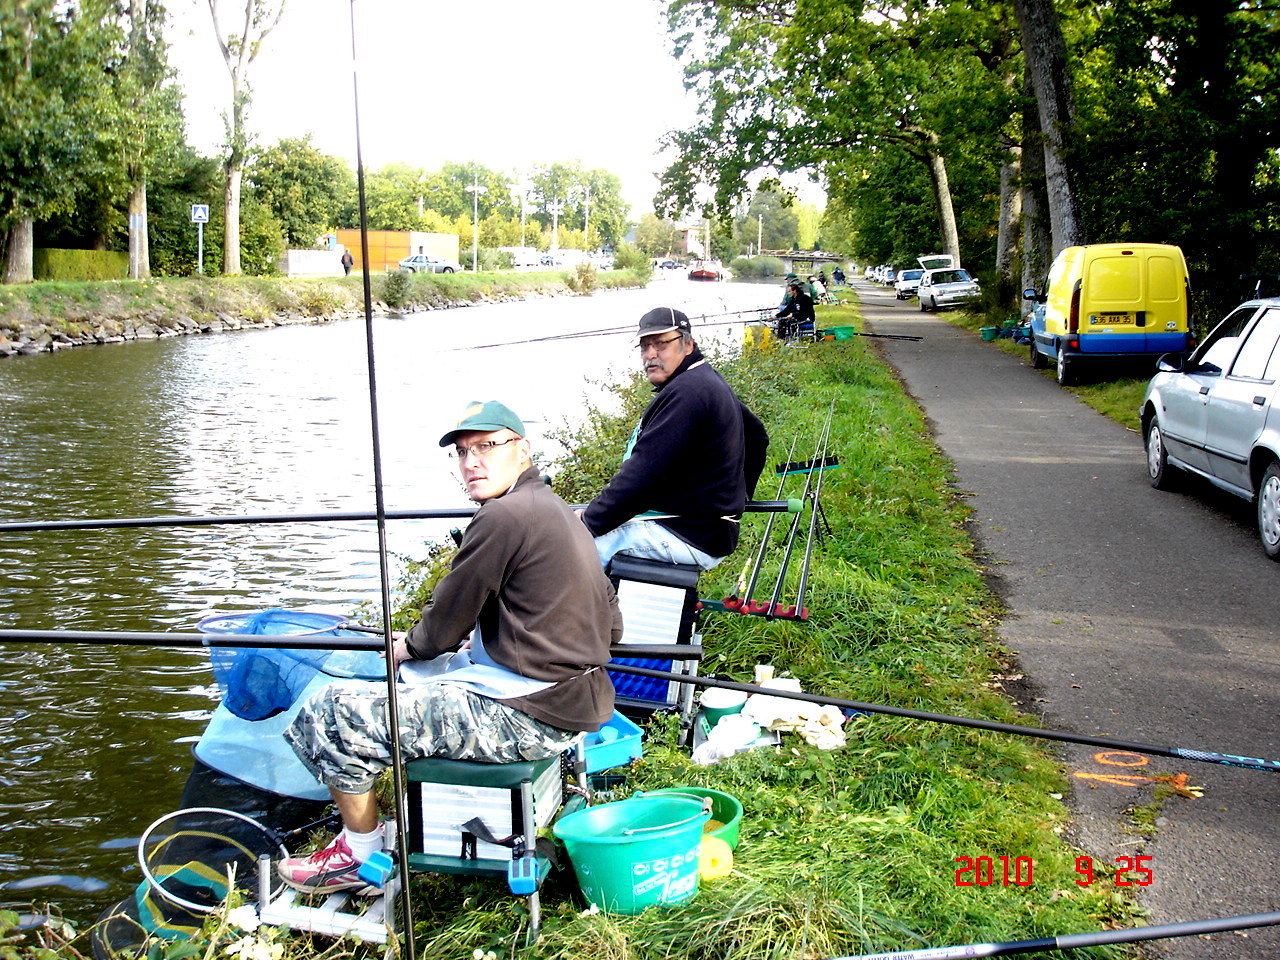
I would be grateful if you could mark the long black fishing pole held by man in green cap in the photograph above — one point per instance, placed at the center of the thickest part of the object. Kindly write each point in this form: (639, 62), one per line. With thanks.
(296, 642)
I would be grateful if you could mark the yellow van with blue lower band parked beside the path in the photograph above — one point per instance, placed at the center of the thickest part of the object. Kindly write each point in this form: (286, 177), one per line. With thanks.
(1110, 300)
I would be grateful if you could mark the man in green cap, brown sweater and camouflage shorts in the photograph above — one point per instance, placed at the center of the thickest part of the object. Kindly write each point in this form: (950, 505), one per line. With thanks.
(505, 665)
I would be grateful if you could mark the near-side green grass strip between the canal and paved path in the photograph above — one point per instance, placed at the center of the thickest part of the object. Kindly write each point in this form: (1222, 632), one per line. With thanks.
(852, 851)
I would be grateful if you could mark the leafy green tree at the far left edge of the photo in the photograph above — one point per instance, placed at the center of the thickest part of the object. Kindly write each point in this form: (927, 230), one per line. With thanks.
(53, 90)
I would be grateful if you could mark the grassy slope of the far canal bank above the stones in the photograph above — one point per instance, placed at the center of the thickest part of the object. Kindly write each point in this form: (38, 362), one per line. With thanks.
(76, 309)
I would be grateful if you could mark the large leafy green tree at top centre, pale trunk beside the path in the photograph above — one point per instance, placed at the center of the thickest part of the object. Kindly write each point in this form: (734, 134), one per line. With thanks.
(799, 85)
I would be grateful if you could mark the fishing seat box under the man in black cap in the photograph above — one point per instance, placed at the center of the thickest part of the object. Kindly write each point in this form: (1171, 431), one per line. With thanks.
(660, 609)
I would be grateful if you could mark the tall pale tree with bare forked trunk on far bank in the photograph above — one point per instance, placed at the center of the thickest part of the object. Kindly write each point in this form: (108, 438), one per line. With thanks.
(240, 48)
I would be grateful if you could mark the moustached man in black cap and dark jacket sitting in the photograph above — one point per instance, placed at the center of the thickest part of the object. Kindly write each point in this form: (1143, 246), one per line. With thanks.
(694, 458)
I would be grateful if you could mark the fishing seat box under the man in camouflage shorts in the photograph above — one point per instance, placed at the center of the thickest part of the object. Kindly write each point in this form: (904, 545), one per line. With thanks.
(446, 794)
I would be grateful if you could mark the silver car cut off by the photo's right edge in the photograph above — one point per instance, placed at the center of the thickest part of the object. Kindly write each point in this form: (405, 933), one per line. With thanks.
(1214, 414)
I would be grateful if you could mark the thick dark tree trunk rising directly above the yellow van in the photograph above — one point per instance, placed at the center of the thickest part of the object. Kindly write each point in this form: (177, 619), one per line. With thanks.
(1045, 54)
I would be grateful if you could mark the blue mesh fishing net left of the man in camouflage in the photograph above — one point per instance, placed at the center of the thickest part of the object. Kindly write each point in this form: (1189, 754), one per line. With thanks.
(260, 683)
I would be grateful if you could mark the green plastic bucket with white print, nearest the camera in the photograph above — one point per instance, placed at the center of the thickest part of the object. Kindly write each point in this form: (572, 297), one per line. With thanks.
(638, 853)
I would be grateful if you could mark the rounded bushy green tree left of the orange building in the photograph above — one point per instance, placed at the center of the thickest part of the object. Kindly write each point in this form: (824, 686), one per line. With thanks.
(304, 189)
